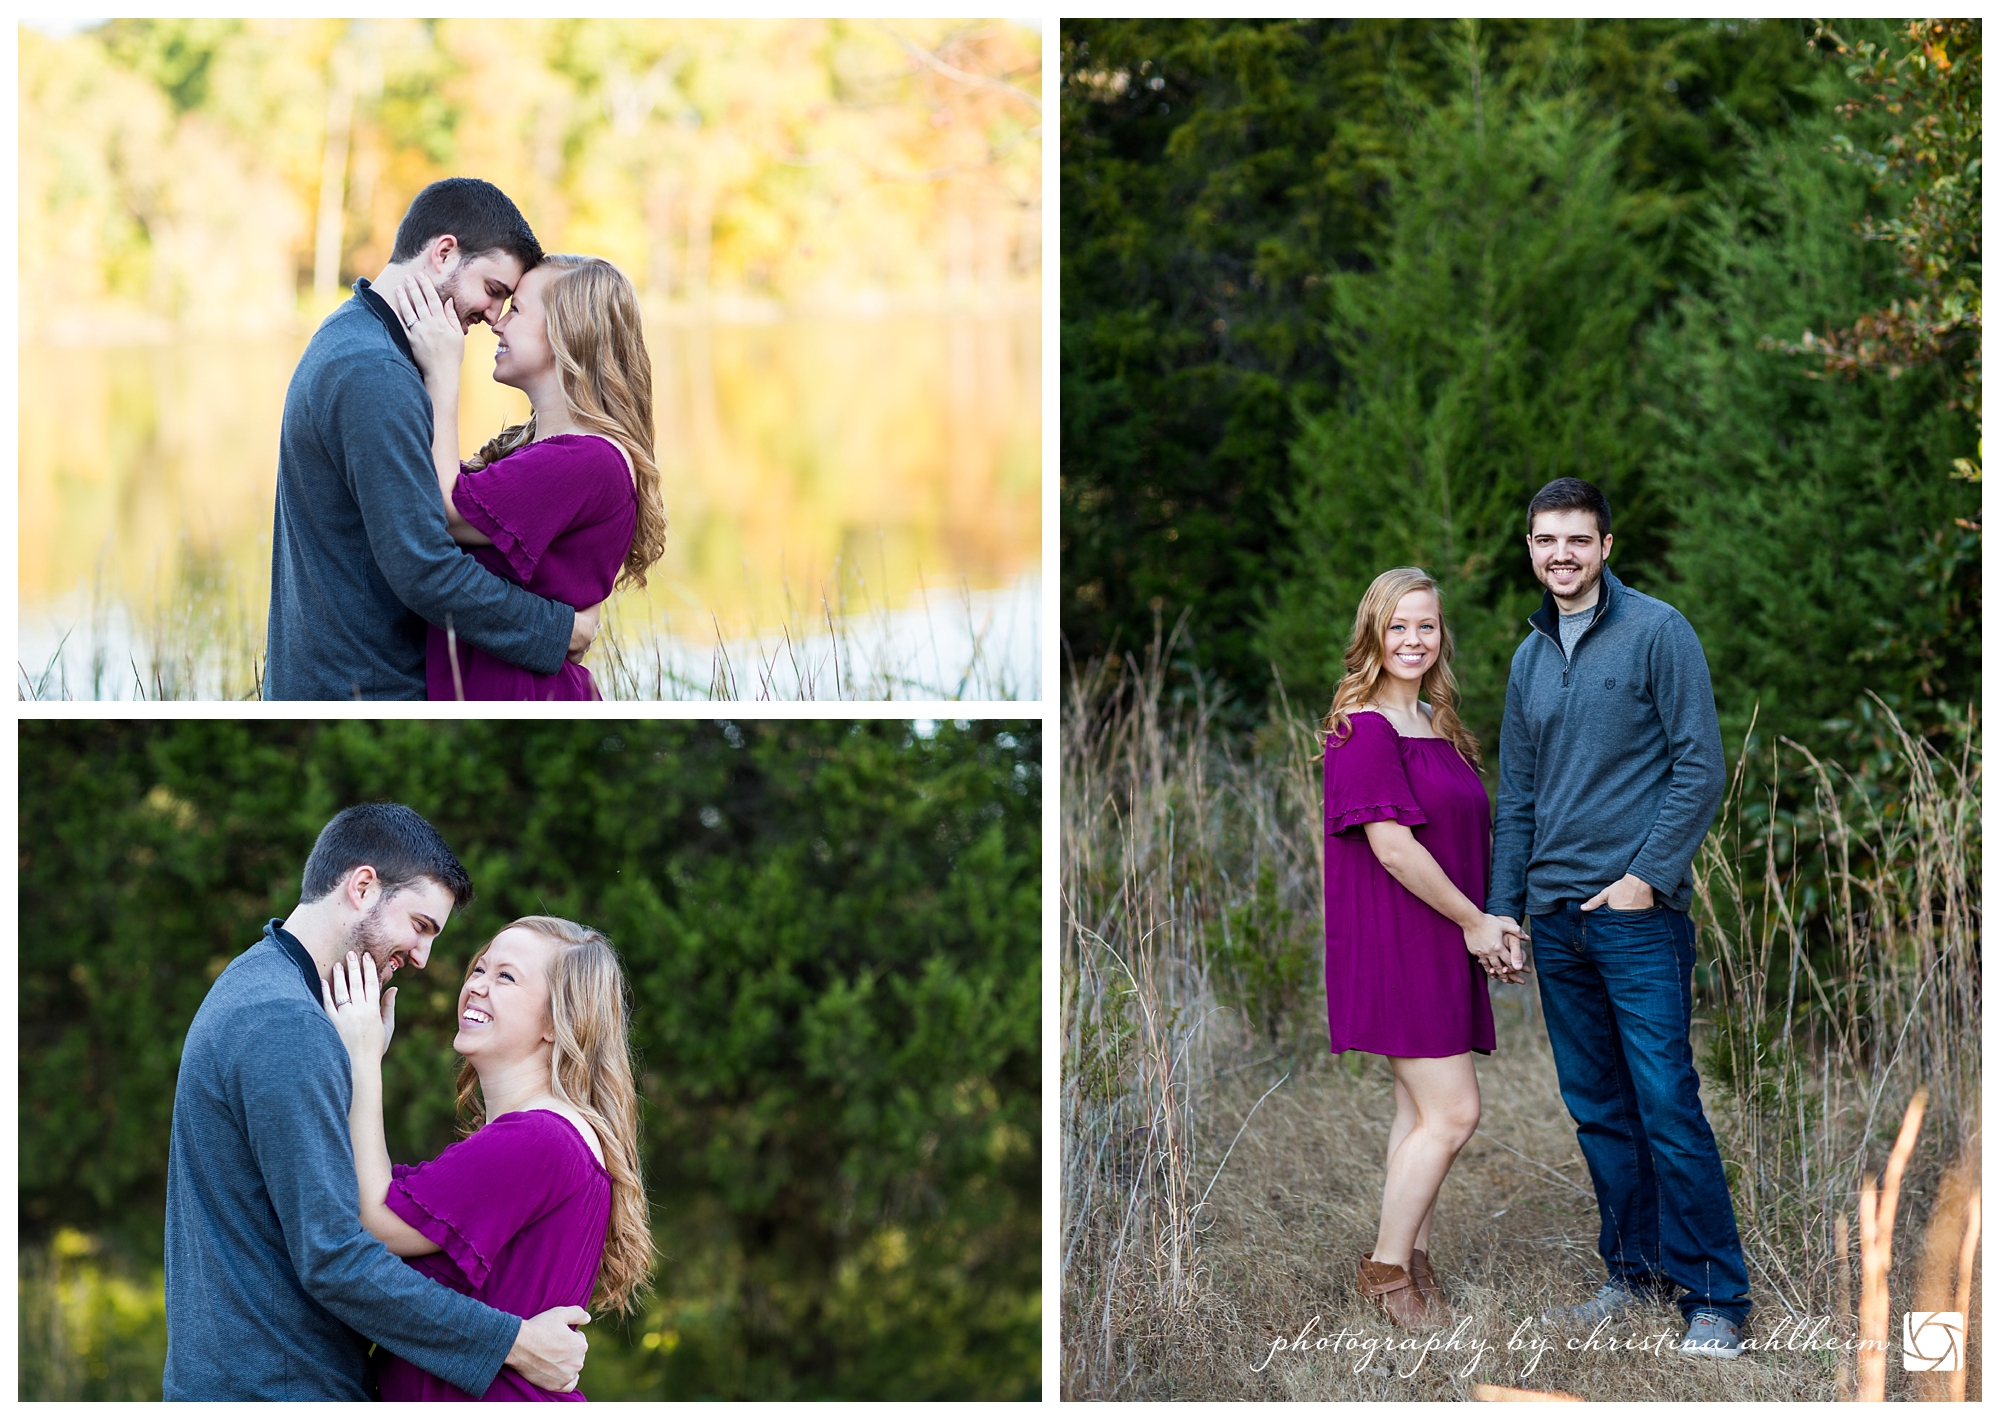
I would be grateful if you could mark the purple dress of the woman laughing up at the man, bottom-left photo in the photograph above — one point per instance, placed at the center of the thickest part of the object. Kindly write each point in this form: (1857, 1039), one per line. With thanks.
(521, 1211)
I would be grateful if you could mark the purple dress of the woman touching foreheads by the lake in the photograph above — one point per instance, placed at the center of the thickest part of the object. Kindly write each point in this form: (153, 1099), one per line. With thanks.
(561, 513)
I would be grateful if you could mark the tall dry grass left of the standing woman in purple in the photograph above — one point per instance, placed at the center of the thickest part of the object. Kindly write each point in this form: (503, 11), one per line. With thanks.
(1185, 883)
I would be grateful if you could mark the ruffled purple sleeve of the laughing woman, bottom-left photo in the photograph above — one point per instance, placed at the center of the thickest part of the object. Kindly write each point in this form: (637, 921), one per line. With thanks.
(485, 1189)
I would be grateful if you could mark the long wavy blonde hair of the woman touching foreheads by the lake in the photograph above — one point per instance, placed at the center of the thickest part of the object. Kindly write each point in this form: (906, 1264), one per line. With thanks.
(607, 375)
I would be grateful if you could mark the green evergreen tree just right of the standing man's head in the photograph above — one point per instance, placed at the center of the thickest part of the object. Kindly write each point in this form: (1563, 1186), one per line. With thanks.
(1817, 547)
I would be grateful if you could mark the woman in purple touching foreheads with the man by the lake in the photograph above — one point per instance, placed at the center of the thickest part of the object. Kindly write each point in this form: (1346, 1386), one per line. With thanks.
(569, 503)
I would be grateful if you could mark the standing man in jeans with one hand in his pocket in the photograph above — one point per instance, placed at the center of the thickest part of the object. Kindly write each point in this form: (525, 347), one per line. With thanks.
(1611, 771)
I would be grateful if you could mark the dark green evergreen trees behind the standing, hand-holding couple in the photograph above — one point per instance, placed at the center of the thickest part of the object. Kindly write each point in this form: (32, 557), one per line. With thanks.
(1341, 295)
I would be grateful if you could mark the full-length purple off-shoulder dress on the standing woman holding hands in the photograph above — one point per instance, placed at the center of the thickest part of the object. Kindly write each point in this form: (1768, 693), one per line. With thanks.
(1399, 979)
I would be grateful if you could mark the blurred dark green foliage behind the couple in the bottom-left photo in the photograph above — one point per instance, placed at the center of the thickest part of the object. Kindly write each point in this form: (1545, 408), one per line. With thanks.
(833, 939)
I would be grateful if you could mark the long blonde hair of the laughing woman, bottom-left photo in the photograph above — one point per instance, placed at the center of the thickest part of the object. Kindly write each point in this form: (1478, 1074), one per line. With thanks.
(591, 1071)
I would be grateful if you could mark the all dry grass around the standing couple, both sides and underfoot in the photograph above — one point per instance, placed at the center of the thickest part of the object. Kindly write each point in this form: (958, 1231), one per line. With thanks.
(1219, 1171)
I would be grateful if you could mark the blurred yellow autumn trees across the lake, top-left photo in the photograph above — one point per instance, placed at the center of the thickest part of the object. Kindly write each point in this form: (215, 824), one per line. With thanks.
(207, 173)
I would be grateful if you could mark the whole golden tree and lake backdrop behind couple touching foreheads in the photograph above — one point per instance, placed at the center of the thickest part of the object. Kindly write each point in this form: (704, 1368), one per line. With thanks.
(835, 231)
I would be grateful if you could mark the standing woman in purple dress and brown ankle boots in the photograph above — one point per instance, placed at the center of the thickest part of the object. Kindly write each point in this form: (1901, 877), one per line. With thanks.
(1409, 843)
